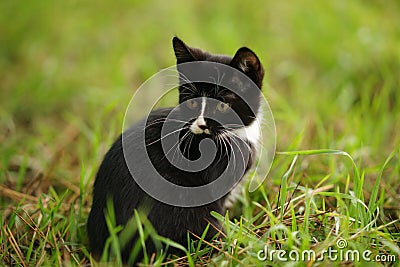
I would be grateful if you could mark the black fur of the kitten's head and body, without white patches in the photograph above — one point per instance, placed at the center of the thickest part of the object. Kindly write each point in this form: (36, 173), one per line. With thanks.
(115, 181)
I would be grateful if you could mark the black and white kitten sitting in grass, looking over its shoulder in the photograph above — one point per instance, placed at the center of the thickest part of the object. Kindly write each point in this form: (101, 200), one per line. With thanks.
(114, 180)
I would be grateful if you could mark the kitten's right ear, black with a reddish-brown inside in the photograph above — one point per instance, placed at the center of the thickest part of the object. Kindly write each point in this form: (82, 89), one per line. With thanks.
(246, 61)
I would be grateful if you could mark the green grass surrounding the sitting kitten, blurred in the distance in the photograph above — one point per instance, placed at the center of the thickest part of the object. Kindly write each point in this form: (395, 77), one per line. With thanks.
(68, 70)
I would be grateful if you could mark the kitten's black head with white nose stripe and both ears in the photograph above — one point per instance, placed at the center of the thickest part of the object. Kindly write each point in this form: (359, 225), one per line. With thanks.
(232, 93)
